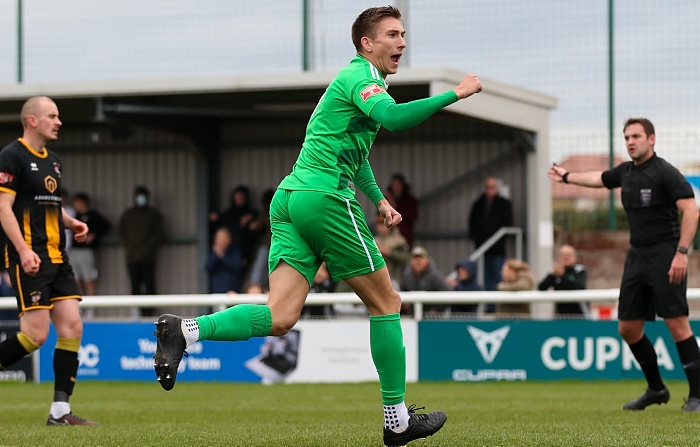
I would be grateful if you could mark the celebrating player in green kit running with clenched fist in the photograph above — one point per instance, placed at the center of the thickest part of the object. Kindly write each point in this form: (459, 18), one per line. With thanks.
(315, 217)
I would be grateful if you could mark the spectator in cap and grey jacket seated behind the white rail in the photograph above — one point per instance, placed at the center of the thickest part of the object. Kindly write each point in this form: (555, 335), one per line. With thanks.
(421, 273)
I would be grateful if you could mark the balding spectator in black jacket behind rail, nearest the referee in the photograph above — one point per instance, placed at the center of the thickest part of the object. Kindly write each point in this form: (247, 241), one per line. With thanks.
(567, 274)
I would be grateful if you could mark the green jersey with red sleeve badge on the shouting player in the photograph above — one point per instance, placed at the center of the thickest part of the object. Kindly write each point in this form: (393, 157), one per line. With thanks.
(339, 136)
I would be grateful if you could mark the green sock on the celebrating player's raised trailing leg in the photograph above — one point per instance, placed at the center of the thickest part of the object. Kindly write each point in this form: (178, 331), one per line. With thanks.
(236, 323)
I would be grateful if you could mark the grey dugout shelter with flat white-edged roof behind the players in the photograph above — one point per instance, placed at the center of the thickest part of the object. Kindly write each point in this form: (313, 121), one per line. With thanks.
(191, 141)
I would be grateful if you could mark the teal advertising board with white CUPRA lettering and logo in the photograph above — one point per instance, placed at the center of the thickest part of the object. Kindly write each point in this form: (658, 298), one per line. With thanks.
(476, 351)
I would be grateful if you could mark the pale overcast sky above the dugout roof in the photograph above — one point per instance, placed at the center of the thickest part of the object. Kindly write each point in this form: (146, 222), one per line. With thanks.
(557, 47)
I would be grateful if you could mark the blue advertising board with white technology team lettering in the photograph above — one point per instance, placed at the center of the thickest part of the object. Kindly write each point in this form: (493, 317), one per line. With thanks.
(124, 351)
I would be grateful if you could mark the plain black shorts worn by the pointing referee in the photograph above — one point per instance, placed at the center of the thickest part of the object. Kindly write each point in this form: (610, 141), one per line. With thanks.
(645, 290)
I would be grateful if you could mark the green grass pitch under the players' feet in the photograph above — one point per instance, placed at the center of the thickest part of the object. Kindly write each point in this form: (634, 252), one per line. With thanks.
(218, 414)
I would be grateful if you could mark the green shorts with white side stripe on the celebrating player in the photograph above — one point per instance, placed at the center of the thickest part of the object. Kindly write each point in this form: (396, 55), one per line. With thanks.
(309, 227)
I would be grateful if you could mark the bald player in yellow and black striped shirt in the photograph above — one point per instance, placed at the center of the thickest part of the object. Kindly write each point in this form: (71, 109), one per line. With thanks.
(34, 221)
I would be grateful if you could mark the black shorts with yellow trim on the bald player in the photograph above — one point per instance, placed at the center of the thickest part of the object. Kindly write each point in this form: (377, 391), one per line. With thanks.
(53, 282)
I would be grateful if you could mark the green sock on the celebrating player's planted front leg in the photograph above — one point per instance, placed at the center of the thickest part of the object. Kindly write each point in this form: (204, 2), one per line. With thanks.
(389, 355)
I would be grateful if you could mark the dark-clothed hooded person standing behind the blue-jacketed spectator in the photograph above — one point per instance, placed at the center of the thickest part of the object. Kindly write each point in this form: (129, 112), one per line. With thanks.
(237, 219)
